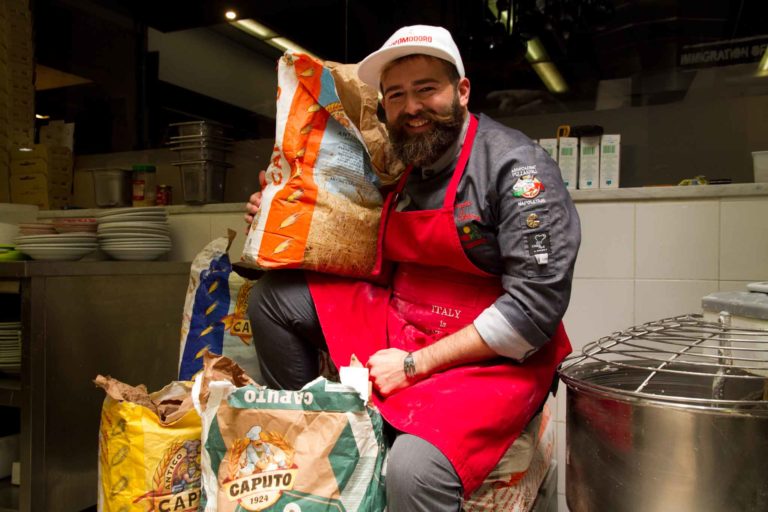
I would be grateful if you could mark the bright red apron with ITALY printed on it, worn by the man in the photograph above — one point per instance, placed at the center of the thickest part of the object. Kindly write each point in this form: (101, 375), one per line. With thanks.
(472, 413)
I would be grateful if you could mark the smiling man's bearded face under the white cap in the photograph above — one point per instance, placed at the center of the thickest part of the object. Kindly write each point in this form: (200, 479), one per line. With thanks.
(424, 110)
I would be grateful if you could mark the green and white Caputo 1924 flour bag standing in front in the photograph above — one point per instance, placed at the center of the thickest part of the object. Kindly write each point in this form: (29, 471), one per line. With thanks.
(317, 449)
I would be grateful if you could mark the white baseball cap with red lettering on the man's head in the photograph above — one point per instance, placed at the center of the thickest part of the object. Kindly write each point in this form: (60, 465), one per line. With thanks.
(413, 40)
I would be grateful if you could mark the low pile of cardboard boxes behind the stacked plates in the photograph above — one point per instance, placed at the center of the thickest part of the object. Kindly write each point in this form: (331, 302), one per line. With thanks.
(42, 176)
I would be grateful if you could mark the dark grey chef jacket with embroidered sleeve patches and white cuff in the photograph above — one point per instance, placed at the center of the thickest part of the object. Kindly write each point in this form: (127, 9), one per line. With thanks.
(515, 219)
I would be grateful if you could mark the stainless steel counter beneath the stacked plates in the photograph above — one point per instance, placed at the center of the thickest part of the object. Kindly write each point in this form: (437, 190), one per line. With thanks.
(80, 319)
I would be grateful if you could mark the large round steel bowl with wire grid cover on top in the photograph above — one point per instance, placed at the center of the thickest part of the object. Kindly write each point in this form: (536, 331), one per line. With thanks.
(668, 416)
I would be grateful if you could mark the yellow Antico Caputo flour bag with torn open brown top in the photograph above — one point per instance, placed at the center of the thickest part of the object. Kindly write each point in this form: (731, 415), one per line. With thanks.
(149, 449)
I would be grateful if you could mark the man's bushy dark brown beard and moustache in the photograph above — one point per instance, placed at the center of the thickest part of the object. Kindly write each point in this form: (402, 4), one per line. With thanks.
(423, 149)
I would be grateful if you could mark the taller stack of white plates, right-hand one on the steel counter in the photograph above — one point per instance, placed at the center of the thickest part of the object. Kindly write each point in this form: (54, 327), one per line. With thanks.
(140, 233)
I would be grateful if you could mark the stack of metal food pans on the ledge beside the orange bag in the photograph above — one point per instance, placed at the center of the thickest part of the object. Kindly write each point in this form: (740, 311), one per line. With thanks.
(201, 148)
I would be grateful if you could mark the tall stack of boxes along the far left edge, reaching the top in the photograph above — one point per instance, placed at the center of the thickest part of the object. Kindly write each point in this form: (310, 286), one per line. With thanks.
(17, 92)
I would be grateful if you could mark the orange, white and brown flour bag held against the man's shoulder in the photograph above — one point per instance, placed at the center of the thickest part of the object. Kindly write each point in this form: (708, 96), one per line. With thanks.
(320, 209)
